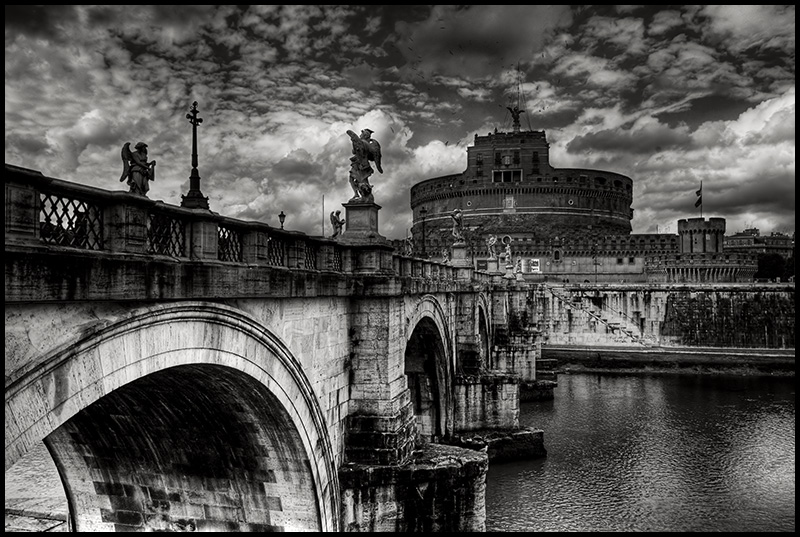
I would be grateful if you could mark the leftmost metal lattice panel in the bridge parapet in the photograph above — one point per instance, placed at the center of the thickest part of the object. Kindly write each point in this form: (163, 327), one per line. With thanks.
(70, 222)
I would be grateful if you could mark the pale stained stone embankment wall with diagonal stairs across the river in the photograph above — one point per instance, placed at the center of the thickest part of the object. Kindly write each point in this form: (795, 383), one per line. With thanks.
(737, 316)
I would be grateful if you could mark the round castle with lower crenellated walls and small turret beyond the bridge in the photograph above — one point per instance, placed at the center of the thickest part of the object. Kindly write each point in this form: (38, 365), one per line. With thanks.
(563, 224)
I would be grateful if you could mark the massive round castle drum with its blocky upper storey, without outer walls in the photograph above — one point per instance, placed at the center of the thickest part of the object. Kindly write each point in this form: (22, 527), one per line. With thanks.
(509, 189)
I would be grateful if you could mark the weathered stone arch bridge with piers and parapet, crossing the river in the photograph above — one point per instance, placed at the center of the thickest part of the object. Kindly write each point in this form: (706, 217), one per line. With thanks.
(189, 371)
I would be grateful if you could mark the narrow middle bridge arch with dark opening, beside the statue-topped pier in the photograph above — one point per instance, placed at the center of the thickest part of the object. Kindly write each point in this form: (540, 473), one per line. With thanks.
(429, 368)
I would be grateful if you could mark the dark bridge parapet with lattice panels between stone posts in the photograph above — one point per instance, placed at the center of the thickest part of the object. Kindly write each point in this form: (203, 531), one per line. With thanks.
(45, 215)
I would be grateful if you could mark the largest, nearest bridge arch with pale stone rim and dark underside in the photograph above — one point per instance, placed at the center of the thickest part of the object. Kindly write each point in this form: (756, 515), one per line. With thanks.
(195, 352)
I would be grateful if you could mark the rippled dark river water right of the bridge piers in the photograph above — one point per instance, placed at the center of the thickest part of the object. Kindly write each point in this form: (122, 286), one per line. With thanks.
(654, 453)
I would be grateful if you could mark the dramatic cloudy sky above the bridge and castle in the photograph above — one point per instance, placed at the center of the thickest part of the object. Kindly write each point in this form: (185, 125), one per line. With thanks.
(669, 96)
